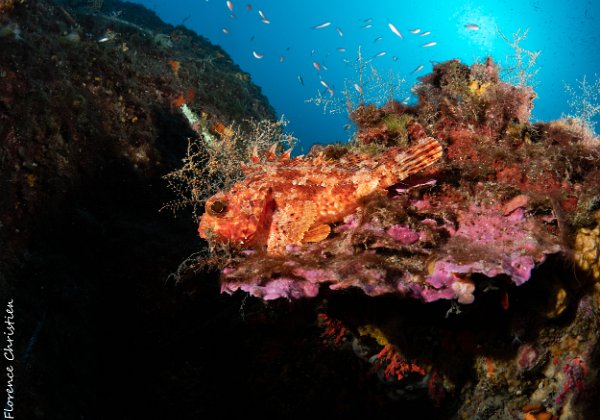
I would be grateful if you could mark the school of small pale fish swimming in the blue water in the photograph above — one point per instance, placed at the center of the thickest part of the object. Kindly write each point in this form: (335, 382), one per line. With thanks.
(326, 26)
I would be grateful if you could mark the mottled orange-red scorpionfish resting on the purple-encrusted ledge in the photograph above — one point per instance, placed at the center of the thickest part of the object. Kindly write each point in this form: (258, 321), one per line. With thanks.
(283, 201)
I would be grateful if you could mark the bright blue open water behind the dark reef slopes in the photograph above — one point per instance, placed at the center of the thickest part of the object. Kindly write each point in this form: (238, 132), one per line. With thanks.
(564, 31)
